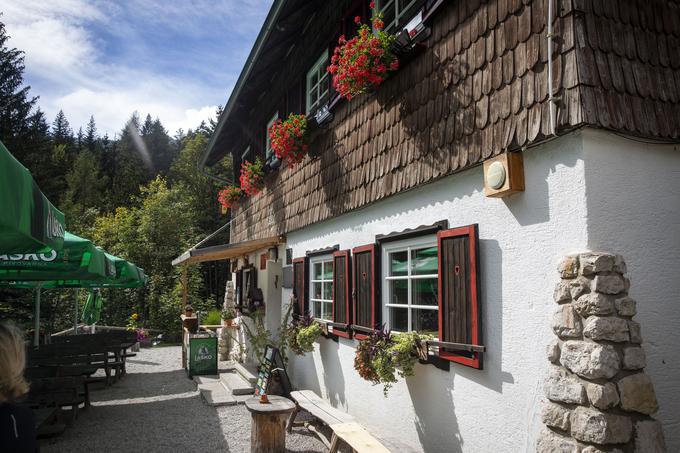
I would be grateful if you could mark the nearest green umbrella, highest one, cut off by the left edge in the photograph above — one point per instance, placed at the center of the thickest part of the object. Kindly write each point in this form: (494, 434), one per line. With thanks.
(28, 221)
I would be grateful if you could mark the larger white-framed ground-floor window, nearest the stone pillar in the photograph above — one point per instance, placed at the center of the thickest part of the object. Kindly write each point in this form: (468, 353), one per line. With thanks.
(410, 285)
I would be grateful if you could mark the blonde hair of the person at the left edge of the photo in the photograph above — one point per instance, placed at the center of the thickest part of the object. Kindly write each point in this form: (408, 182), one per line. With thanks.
(12, 362)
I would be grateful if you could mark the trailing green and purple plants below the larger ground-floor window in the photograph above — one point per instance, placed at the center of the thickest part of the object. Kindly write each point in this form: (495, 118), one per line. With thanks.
(382, 357)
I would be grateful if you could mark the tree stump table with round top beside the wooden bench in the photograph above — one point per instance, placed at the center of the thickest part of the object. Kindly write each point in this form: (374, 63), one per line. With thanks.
(268, 423)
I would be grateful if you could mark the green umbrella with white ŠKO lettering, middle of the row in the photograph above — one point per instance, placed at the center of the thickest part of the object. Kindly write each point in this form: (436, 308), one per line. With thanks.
(78, 260)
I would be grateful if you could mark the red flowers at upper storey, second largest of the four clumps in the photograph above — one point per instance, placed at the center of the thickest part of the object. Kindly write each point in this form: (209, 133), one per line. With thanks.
(289, 139)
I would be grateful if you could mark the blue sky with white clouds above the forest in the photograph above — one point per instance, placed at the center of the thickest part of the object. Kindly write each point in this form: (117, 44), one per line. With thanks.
(174, 59)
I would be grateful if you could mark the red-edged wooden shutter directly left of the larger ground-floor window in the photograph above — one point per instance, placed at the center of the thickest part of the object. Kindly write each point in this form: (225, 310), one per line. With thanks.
(365, 313)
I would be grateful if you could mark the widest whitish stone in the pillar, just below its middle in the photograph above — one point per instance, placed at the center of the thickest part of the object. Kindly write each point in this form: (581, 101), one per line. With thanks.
(590, 360)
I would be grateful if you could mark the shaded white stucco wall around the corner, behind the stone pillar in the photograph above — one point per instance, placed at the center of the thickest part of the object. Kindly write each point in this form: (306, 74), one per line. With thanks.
(633, 199)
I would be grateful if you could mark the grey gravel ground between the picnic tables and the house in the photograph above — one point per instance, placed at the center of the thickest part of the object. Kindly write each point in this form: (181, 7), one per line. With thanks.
(156, 408)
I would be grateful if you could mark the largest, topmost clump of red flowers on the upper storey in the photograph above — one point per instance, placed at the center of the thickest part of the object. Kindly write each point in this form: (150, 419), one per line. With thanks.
(364, 62)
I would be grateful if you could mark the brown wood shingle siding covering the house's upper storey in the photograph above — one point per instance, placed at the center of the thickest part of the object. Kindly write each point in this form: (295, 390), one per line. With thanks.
(478, 88)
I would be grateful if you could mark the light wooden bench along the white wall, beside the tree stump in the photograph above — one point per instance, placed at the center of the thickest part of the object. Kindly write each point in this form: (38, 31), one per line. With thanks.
(344, 426)
